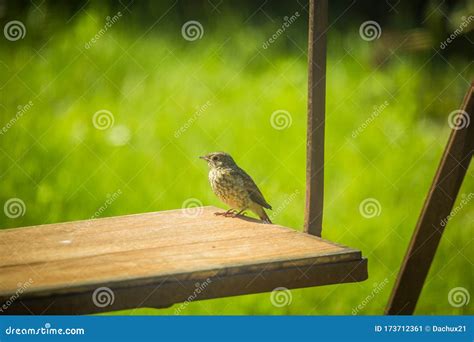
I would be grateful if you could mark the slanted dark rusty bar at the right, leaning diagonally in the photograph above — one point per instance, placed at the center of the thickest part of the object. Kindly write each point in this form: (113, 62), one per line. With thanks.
(438, 205)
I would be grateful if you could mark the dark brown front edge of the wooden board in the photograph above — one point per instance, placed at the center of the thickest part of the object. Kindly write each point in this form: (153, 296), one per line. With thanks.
(167, 292)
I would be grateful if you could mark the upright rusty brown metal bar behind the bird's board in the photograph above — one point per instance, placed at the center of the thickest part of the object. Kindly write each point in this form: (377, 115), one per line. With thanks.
(318, 21)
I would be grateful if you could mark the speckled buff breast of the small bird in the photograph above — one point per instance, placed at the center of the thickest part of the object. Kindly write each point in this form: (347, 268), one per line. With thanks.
(229, 188)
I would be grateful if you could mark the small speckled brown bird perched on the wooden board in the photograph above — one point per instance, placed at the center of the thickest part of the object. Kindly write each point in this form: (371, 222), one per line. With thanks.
(235, 187)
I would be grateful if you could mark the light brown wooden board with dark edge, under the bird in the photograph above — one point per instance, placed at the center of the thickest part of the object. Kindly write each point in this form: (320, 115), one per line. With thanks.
(157, 259)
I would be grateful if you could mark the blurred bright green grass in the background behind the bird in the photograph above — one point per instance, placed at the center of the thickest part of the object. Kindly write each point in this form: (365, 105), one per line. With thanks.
(153, 82)
